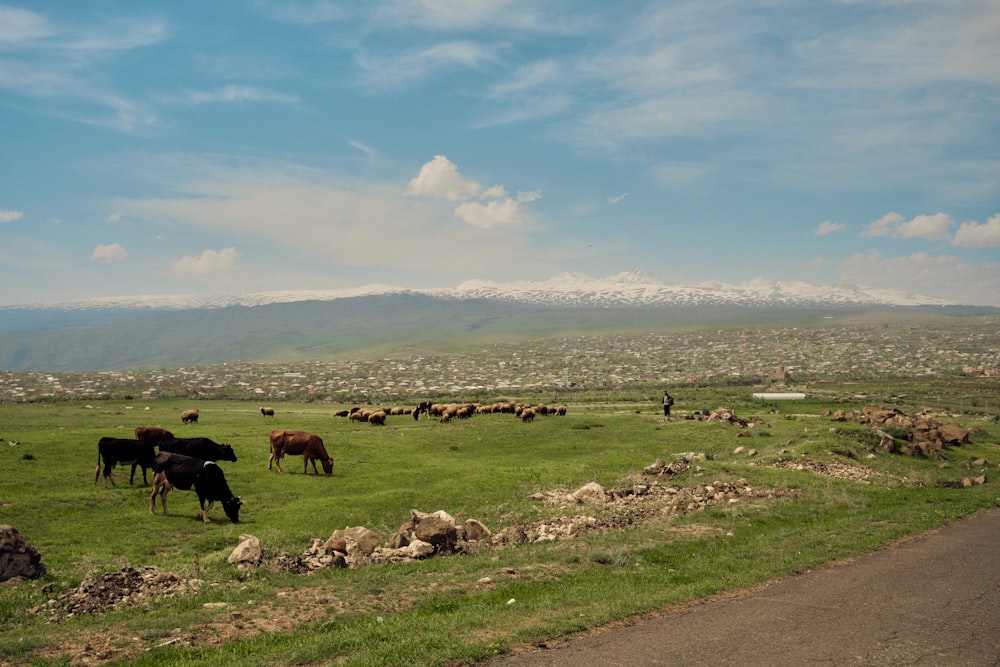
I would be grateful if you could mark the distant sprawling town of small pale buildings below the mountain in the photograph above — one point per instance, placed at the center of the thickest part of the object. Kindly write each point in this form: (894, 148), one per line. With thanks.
(801, 355)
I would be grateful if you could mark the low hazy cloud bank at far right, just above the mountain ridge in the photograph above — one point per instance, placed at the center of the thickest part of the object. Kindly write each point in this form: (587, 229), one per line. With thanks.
(943, 276)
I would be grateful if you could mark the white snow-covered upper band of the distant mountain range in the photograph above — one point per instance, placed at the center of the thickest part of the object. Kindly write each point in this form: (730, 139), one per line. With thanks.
(631, 288)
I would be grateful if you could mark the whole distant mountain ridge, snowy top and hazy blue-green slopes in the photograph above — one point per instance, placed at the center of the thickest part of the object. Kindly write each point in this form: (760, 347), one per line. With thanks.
(179, 331)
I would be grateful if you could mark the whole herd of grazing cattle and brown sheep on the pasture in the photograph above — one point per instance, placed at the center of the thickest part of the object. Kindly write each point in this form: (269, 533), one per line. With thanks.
(191, 463)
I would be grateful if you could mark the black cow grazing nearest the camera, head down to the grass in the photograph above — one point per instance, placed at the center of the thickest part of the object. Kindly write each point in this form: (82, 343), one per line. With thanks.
(187, 473)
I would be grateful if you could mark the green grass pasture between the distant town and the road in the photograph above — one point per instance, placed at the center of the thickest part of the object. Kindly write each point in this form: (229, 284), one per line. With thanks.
(441, 610)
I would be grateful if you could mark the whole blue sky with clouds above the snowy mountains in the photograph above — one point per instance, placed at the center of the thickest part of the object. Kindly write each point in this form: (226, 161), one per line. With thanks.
(229, 147)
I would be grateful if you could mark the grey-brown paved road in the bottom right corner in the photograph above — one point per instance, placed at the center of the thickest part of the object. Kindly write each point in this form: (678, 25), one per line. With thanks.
(933, 600)
